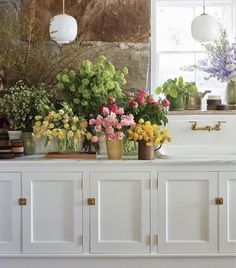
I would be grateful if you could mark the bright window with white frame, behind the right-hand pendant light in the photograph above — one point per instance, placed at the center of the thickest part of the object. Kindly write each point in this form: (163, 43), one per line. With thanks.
(173, 47)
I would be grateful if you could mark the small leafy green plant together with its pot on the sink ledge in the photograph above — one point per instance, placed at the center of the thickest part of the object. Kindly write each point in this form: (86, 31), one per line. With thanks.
(176, 90)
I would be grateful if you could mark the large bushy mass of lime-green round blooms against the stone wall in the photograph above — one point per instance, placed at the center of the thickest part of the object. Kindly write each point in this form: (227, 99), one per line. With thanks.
(89, 87)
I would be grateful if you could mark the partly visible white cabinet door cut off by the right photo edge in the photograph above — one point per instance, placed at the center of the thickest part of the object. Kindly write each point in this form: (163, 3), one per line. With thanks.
(227, 212)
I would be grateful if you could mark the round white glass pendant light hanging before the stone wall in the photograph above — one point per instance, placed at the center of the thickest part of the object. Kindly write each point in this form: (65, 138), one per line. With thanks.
(63, 28)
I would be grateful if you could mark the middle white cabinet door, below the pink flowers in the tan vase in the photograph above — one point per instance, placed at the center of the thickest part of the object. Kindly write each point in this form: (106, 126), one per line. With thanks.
(120, 217)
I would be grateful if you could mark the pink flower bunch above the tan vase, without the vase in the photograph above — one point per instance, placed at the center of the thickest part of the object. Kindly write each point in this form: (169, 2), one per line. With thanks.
(111, 123)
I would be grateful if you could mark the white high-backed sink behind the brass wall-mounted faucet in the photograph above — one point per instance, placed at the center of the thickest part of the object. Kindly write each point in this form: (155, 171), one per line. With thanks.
(187, 142)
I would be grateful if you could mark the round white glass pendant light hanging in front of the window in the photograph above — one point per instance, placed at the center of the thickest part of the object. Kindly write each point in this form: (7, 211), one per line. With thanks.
(204, 28)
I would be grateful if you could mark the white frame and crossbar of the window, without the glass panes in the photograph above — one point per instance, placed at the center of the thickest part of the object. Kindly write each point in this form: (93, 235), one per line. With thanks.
(155, 53)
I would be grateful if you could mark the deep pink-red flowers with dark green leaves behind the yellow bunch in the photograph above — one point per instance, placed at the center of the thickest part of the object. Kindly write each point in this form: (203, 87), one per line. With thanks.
(145, 106)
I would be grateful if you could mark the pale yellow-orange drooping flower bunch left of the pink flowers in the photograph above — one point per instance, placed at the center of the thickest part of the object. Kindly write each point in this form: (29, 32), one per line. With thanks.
(62, 124)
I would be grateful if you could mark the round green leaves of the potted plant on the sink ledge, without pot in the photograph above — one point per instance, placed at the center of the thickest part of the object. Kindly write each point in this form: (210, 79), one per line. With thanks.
(176, 87)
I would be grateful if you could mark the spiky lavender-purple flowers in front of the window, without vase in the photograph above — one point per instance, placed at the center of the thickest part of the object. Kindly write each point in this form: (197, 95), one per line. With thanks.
(221, 62)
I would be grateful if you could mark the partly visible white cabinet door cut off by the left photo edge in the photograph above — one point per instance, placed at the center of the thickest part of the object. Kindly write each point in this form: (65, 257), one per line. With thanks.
(10, 213)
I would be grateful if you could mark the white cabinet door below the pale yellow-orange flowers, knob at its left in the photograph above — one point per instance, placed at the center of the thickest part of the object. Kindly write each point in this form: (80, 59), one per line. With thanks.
(52, 217)
